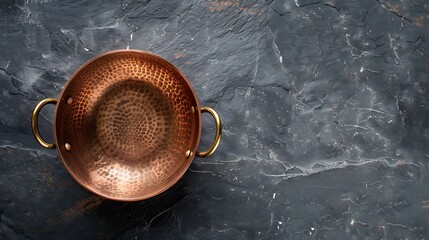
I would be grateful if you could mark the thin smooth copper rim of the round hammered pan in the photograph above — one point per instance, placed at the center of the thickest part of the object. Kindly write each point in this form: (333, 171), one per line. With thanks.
(175, 177)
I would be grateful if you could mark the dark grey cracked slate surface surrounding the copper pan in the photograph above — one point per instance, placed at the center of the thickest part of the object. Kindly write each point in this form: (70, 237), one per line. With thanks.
(324, 104)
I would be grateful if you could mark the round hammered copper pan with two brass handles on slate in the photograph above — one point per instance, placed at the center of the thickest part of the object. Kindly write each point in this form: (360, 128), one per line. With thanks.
(127, 125)
